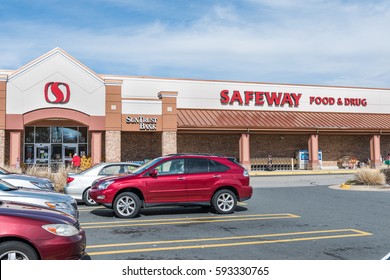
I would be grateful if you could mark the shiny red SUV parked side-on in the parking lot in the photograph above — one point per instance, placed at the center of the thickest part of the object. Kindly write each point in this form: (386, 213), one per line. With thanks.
(179, 179)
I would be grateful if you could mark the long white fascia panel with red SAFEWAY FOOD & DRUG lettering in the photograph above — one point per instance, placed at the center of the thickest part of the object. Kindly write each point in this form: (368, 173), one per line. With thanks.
(226, 95)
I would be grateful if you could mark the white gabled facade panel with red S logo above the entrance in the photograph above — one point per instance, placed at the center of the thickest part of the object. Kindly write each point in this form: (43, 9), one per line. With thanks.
(55, 81)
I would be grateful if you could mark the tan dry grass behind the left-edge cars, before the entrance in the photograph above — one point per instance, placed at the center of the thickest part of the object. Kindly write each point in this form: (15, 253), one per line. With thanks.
(58, 178)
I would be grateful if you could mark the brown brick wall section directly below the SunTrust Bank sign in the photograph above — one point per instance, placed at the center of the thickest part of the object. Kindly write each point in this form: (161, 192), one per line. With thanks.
(140, 146)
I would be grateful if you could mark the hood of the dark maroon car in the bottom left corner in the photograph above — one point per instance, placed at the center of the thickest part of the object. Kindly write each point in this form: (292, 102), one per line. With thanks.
(33, 211)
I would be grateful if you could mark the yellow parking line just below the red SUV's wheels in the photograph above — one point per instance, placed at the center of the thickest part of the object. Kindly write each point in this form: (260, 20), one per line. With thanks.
(172, 221)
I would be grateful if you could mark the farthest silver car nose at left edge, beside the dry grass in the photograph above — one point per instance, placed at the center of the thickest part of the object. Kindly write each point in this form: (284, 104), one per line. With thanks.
(26, 181)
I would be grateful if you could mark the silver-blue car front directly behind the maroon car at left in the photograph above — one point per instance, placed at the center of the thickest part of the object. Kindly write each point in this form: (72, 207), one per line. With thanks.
(52, 200)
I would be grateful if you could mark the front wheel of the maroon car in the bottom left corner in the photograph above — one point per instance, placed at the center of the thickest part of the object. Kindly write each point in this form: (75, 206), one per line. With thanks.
(15, 250)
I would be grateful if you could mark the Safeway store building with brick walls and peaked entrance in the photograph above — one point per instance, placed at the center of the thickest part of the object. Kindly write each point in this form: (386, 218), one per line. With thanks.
(55, 106)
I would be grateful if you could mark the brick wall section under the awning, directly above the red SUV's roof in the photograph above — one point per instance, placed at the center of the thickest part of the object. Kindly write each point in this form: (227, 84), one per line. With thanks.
(220, 144)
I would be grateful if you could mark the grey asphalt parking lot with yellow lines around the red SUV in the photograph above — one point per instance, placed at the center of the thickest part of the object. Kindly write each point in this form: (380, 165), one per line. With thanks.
(288, 217)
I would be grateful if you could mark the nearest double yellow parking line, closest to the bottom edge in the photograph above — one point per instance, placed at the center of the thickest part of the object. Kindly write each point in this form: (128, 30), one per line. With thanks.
(339, 233)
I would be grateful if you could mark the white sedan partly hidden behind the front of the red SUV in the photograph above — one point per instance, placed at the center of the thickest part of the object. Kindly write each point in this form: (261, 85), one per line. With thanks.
(78, 184)
